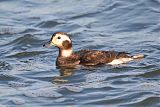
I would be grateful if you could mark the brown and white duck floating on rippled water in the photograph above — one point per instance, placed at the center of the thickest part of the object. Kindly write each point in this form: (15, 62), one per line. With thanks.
(67, 57)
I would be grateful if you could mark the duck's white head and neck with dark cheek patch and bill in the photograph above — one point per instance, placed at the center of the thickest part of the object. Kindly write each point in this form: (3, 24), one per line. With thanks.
(62, 41)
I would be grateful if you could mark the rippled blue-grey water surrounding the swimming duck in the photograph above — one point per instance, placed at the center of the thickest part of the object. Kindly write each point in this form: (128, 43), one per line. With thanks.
(29, 77)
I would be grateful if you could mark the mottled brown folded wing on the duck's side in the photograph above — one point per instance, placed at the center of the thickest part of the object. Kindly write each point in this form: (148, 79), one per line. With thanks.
(95, 57)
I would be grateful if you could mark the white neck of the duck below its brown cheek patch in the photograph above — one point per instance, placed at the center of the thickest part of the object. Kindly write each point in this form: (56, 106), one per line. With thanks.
(65, 52)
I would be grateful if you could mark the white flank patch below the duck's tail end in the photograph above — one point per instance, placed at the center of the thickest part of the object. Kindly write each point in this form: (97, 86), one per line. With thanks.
(120, 61)
